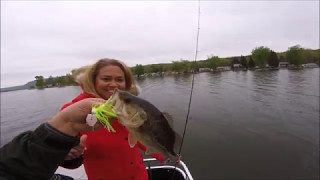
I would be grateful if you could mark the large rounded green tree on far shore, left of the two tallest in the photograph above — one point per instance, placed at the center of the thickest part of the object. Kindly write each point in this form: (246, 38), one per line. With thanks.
(260, 55)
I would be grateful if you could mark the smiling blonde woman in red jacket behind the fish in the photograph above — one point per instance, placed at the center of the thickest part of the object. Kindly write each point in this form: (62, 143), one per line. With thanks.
(108, 155)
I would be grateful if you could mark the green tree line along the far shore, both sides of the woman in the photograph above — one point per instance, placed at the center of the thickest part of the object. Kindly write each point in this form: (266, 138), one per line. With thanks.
(259, 57)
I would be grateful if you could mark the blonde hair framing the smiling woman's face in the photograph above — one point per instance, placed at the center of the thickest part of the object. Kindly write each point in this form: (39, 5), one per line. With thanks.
(88, 78)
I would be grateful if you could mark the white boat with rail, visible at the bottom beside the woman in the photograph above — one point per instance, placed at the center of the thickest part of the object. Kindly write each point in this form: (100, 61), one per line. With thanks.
(156, 171)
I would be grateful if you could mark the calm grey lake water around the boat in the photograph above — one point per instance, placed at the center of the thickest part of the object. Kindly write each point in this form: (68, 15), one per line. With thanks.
(242, 124)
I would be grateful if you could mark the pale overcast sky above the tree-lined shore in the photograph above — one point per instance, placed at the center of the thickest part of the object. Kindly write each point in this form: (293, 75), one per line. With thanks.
(54, 37)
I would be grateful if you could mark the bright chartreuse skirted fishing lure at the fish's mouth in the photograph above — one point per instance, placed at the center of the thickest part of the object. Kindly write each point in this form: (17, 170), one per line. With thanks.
(103, 112)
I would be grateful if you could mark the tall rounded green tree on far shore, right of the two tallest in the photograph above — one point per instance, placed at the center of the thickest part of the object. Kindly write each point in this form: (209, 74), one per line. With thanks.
(295, 55)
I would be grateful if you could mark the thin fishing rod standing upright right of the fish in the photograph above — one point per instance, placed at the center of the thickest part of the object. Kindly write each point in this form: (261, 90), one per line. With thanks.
(192, 84)
